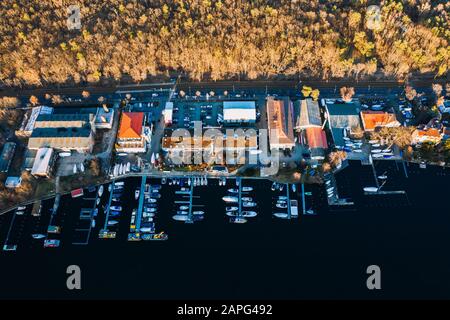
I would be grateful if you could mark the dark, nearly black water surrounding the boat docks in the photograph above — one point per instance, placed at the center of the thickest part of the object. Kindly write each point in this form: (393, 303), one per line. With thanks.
(322, 256)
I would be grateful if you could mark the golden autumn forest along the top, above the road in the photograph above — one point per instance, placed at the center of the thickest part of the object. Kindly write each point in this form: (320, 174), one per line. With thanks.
(218, 39)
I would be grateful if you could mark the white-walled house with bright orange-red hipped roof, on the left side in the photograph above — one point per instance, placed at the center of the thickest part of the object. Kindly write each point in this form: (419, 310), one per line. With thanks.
(131, 136)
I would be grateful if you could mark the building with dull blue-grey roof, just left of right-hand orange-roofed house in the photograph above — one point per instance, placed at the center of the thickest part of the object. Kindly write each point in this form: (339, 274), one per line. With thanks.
(342, 116)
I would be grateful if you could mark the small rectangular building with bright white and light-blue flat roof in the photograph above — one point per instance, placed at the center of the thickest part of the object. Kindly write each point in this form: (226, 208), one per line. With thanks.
(237, 112)
